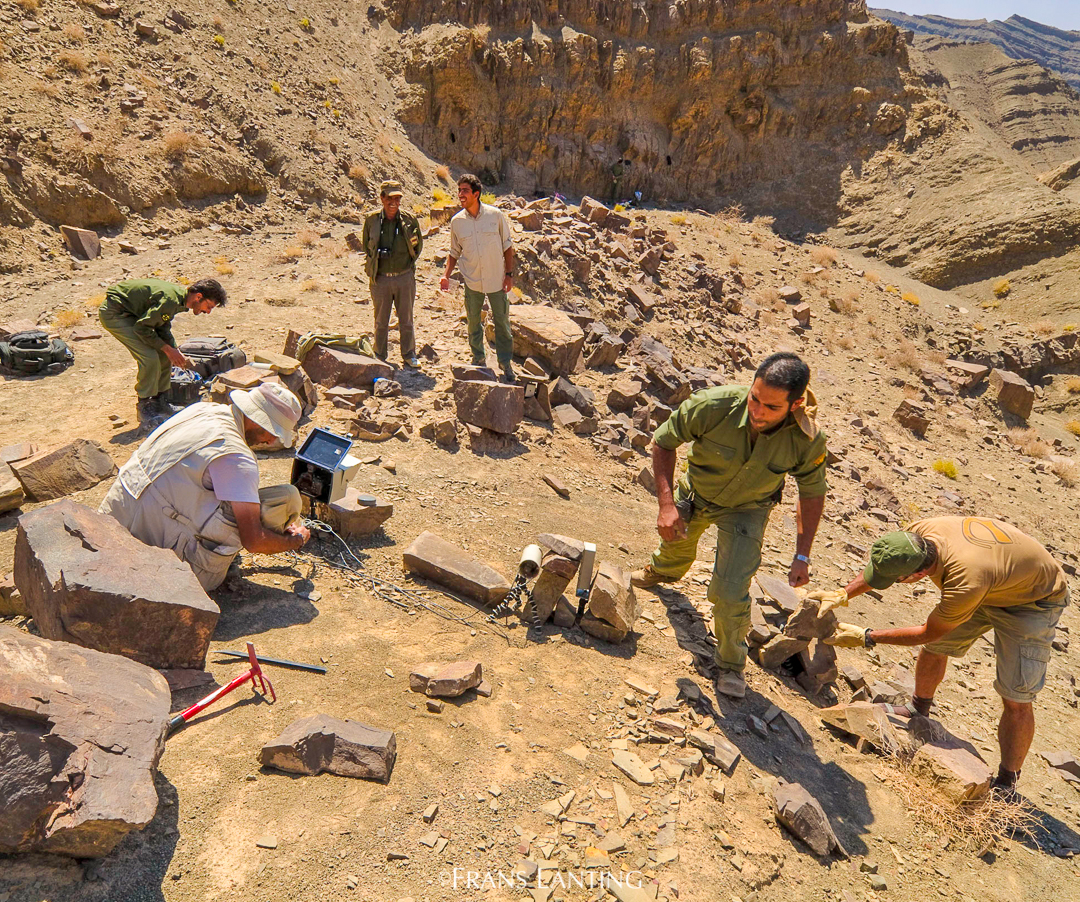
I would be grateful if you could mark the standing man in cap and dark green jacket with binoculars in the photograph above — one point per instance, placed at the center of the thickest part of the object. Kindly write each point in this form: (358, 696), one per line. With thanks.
(393, 241)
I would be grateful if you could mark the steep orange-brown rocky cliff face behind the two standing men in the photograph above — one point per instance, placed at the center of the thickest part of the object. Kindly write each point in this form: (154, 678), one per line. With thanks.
(755, 100)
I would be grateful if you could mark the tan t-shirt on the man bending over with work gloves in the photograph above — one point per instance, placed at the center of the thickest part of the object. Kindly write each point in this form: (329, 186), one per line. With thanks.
(988, 562)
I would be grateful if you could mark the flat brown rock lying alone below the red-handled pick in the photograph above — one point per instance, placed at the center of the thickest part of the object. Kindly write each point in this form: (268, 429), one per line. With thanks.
(321, 744)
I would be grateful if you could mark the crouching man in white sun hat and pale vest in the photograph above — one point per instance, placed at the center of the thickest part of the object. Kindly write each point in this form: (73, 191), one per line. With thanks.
(193, 487)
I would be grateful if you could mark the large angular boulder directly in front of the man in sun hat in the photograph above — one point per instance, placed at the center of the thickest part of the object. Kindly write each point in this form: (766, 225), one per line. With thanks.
(87, 581)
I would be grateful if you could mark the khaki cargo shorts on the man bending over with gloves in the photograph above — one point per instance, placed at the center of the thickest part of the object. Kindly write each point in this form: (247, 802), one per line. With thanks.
(1022, 644)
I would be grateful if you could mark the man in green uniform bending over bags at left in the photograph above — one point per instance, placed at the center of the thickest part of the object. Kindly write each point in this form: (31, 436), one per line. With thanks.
(139, 315)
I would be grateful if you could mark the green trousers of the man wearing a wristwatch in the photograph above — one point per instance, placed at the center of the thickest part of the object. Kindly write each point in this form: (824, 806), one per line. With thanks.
(739, 537)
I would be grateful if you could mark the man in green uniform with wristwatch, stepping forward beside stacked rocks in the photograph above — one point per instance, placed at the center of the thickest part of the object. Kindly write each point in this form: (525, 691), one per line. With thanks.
(744, 442)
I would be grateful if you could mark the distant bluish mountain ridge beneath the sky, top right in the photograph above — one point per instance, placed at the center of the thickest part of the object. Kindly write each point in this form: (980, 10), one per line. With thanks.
(1020, 38)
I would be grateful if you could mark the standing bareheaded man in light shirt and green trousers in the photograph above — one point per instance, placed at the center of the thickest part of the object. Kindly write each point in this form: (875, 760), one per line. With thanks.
(482, 249)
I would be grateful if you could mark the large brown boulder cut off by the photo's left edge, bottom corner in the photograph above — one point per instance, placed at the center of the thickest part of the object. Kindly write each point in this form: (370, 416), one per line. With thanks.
(82, 734)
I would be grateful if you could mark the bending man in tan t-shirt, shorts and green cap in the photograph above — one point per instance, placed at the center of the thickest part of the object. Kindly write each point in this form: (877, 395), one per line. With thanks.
(991, 576)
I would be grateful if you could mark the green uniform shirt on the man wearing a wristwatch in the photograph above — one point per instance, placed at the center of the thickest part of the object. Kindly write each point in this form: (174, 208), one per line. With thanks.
(724, 470)
